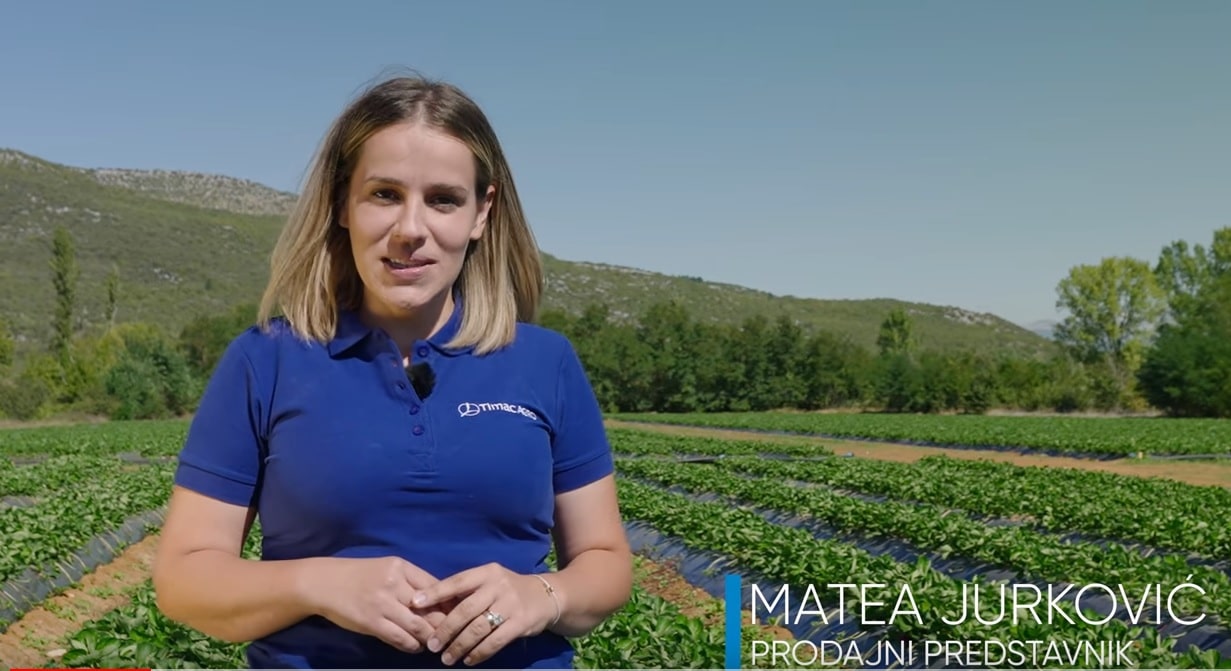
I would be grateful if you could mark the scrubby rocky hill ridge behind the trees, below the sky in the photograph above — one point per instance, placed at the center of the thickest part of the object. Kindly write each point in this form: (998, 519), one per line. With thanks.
(189, 244)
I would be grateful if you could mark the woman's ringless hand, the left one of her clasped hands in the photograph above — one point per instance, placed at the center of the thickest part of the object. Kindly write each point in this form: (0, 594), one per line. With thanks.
(374, 598)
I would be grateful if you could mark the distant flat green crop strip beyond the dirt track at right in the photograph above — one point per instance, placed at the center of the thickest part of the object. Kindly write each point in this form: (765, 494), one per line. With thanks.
(1118, 436)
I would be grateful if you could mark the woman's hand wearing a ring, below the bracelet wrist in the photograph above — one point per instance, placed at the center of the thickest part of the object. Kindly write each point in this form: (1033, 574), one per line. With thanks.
(521, 603)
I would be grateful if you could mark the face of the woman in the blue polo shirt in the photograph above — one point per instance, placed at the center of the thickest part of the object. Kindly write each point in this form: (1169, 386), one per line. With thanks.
(412, 212)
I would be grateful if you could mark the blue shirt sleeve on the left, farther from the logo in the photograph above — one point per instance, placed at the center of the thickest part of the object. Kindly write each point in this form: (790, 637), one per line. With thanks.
(222, 456)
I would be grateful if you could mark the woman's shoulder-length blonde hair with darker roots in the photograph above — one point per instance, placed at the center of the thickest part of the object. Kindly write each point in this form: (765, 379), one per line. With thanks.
(312, 269)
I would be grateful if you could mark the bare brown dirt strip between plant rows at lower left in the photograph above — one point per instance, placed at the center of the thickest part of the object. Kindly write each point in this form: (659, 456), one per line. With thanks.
(39, 637)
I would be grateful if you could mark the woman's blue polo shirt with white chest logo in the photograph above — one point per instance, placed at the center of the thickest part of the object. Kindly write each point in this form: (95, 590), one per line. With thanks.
(343, 459)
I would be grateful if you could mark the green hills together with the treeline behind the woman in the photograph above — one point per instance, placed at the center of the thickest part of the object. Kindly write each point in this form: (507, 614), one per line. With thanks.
(121, 289)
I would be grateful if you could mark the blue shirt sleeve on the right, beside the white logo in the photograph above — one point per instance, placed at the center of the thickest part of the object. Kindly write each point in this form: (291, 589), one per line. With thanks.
(583, 454)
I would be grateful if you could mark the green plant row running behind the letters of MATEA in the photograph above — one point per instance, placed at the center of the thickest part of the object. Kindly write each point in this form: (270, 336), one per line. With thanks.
(795, 557)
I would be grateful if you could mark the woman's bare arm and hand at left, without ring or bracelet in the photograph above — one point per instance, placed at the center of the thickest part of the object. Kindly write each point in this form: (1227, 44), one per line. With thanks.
(201, 581)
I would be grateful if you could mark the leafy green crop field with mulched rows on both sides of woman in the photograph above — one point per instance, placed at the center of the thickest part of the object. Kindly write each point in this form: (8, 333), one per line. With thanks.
(774, 514)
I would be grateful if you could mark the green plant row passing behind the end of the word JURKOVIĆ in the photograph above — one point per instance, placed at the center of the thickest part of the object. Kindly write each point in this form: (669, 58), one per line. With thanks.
(1030, 553)
